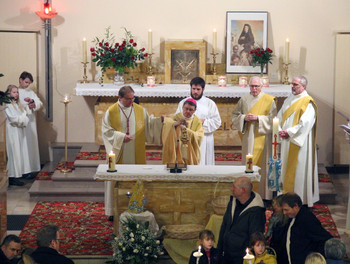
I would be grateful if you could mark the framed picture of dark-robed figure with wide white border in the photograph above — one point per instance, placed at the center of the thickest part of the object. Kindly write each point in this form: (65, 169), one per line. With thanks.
(244, 31)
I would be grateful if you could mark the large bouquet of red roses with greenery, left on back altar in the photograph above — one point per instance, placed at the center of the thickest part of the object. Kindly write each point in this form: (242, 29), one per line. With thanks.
(108, 53)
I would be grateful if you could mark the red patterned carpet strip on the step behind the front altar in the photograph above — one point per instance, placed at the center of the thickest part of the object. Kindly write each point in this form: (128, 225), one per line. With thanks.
(157, 155)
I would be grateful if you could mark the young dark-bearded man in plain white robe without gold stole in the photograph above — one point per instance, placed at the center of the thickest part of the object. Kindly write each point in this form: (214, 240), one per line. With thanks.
(208, 113)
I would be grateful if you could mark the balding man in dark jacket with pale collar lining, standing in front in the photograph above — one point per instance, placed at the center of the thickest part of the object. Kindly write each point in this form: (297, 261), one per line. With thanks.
(245, 215)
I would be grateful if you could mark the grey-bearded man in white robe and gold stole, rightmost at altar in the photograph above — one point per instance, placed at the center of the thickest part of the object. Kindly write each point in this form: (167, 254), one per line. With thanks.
(298, 119)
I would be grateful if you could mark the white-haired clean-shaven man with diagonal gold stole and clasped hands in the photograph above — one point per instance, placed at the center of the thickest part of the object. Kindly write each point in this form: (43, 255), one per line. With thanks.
(253, 119)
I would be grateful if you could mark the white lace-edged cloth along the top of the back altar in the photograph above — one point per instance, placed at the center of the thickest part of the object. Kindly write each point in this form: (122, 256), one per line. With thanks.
(176, 90)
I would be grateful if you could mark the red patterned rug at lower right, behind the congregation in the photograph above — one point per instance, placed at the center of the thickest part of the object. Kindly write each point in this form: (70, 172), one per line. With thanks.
(321, 211)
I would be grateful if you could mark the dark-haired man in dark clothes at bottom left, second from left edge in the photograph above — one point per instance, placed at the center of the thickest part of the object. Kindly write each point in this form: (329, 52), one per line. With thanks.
(48, 241)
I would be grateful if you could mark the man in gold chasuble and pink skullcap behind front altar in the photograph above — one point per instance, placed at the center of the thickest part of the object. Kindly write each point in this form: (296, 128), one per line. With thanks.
(182, 134)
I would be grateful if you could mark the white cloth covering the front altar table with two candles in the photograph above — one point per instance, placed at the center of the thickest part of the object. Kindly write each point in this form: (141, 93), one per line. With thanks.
(194, 173)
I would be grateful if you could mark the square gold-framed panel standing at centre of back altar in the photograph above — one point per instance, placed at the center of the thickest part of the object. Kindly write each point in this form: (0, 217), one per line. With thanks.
(184, 60)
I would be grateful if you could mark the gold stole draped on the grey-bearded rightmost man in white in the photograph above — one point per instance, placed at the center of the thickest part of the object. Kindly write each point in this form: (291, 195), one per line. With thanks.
(298, 108)
